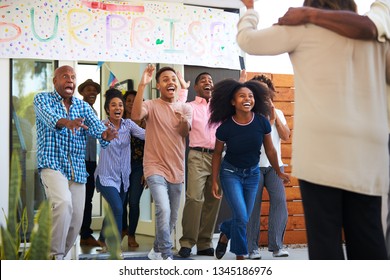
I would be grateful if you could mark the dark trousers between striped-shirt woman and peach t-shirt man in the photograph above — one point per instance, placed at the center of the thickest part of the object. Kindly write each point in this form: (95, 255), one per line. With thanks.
(133, 197)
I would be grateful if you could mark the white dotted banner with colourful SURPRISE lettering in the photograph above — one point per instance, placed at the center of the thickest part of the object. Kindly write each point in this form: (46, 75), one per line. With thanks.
(143, 31)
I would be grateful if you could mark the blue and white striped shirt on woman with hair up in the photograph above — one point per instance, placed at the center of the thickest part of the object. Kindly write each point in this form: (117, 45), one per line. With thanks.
(114, 165)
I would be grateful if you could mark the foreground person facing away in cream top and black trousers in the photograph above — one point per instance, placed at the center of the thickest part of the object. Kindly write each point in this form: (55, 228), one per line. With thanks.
(340, 153)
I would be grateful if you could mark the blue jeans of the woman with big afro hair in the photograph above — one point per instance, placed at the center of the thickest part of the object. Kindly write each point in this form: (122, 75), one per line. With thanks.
(239, 187)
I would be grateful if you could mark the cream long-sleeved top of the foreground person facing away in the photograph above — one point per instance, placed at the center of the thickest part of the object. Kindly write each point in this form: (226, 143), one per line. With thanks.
(339, 105)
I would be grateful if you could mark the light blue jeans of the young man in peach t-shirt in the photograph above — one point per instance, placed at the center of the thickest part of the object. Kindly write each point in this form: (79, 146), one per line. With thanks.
(166, 197)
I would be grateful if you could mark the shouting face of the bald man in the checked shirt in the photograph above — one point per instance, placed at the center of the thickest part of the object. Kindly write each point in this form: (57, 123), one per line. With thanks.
(65, 81)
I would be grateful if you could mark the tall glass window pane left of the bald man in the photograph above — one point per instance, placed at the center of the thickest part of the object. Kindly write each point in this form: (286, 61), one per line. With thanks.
(28, 78)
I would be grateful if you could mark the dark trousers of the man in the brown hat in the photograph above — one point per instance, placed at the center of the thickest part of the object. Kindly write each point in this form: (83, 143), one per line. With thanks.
(86, 230)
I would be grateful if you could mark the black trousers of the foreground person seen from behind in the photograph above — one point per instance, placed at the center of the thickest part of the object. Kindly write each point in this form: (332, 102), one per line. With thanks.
(330, 211)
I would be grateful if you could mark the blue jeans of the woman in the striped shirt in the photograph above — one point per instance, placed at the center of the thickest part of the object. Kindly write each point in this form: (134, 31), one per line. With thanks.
(115, 201)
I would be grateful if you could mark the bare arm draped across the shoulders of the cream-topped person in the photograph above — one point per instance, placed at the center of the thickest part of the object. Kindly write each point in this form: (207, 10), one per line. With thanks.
(345, 23)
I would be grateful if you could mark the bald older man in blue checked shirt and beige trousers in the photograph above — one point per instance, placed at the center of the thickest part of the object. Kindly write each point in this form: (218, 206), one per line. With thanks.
(63, 123)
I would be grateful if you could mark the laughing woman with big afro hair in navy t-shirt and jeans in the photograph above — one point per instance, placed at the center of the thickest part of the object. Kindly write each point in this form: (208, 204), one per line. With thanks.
(241, 110)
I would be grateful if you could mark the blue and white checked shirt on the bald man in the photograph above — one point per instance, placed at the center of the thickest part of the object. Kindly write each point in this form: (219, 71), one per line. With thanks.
(58, 148)
